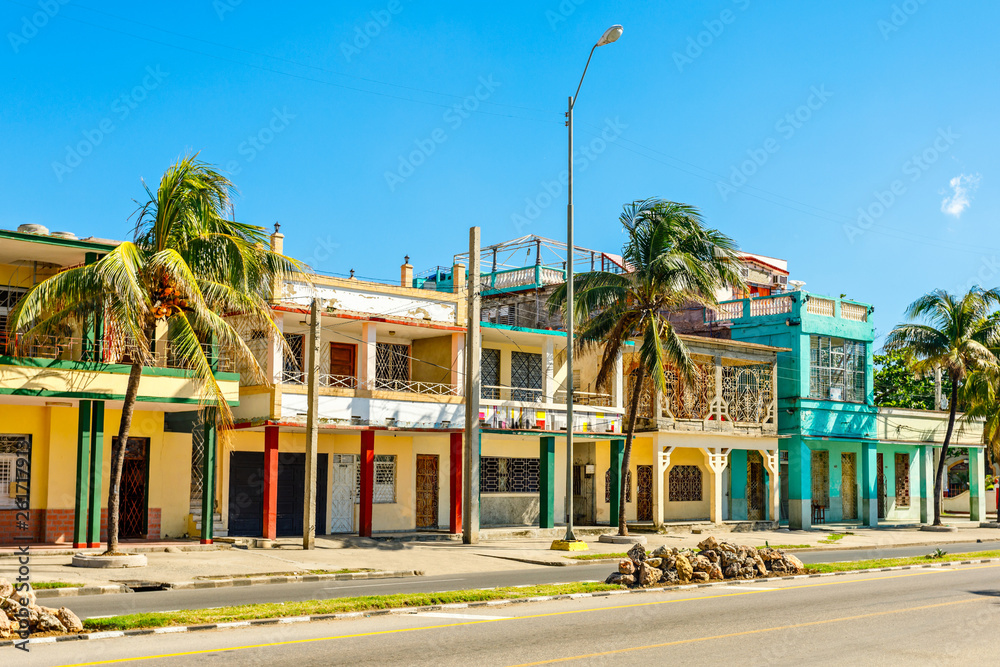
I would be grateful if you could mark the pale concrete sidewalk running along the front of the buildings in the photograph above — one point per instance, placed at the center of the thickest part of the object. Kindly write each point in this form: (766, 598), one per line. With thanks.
(446, 557)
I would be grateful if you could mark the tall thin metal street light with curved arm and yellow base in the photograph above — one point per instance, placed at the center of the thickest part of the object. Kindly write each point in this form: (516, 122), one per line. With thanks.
(610, 35)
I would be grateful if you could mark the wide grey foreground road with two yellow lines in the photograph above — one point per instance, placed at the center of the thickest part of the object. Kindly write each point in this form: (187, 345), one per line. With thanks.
(924, 616)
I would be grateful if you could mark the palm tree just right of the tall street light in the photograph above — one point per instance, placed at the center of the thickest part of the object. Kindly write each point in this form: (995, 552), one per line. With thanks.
(672, 259)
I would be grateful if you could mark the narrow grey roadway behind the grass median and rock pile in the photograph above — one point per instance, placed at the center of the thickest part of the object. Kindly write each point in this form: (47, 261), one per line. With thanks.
(106, 605)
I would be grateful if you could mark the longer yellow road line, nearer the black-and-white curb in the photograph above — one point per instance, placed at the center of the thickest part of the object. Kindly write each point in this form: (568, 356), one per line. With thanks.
(289, 642)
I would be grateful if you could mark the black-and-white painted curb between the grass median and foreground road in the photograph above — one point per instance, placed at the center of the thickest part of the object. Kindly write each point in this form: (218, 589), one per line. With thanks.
(464, 605)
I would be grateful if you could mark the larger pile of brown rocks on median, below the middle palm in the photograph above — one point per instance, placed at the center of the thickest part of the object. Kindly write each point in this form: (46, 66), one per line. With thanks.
(713, 560)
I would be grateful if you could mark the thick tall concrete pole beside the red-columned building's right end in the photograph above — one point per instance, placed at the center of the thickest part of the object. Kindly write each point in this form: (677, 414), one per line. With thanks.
(473, 352)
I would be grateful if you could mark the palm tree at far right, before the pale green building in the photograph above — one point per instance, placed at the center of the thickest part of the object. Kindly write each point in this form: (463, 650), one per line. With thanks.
(957, 335)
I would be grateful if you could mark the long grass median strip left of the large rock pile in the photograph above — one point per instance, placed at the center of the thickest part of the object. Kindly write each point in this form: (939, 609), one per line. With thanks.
(335, 606)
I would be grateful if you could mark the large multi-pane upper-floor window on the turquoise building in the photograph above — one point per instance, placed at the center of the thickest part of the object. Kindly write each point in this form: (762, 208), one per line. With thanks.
(837, 369)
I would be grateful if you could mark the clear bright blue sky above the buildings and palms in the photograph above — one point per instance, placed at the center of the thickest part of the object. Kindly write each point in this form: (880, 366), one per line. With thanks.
(782, 121)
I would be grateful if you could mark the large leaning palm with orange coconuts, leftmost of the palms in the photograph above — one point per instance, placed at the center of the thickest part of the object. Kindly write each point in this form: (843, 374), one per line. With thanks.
(186, 265)
